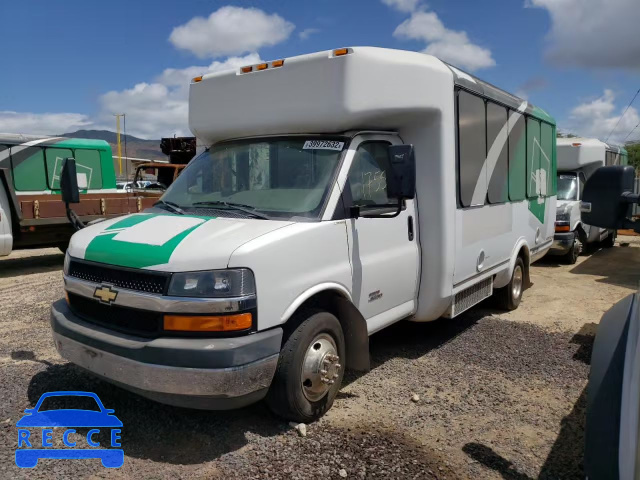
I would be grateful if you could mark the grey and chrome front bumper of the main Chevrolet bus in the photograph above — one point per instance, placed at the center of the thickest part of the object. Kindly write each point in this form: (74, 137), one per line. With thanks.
(206, 373)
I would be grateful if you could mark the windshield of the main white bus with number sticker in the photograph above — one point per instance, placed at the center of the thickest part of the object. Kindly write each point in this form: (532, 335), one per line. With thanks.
(275, 177)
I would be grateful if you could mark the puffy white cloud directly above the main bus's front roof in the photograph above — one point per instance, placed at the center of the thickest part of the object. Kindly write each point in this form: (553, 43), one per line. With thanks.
(231, 31)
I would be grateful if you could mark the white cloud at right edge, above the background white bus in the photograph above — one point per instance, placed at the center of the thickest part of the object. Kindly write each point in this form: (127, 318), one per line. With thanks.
(597, 117)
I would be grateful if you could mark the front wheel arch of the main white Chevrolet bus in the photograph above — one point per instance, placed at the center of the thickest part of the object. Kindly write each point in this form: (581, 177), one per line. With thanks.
(335, 299)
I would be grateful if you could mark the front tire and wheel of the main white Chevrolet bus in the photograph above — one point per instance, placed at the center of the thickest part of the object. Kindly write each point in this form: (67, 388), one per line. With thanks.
(310, 369)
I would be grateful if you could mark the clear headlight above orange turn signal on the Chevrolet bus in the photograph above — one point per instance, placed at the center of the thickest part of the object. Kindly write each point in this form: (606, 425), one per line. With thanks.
(213, 284)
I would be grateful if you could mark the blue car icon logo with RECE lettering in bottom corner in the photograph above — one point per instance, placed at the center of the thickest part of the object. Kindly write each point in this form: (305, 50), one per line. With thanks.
(43, 416)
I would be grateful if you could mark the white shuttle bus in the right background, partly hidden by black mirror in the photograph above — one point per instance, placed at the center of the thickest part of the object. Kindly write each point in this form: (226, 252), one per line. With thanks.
(578, 158)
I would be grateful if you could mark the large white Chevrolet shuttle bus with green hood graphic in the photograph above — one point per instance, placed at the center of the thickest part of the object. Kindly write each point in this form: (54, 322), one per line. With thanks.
(342, 191)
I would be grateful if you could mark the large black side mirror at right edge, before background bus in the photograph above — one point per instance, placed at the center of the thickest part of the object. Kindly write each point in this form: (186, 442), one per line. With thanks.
(605, 200)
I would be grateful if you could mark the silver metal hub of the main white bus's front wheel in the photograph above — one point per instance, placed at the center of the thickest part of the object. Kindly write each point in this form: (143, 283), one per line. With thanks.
(320, 368)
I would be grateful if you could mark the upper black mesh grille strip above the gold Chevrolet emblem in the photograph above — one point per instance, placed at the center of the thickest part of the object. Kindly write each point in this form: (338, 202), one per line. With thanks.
(139, 280)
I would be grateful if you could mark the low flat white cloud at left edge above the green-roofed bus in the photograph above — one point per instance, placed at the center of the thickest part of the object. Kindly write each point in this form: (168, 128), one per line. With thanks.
(42, 123)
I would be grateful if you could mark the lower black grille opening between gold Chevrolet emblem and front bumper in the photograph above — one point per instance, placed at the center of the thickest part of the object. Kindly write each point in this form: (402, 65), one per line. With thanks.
(137, 322)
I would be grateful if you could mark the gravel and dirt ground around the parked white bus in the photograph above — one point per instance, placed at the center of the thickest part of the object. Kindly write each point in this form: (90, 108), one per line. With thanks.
(499, 395)
